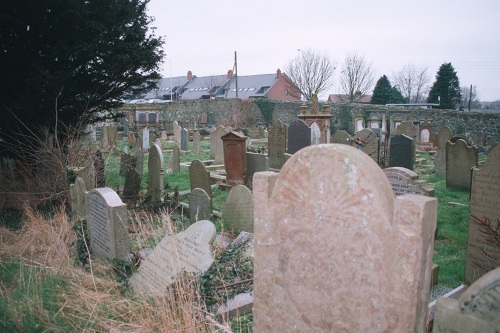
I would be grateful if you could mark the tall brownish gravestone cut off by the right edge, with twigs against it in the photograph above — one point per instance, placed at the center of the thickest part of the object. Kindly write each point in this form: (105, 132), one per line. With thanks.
(483, 252)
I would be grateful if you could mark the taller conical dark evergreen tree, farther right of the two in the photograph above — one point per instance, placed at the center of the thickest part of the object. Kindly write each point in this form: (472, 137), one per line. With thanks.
(446, 88)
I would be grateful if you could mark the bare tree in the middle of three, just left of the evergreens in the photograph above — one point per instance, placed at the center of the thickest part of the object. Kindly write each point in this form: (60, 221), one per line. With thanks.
(357, 77)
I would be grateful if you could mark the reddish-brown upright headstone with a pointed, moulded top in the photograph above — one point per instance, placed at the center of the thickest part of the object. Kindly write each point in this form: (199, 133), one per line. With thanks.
(235, 163)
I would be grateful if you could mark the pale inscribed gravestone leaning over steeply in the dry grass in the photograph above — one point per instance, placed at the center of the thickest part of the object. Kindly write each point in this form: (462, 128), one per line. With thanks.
(188, 251)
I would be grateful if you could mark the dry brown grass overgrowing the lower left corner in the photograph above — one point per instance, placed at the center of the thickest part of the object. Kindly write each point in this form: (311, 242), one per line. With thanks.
(92, 301)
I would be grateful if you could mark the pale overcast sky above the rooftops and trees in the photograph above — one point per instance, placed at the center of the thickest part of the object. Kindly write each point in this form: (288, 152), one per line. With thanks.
(202, 36)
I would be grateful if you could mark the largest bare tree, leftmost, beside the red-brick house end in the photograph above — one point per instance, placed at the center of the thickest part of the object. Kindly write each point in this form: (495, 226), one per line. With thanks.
(309, 74)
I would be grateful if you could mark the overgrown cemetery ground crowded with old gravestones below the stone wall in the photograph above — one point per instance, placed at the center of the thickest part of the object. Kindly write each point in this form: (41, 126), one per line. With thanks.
(191, 225)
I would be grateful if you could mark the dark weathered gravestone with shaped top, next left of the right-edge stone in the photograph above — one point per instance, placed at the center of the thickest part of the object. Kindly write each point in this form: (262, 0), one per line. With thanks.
(460, 159)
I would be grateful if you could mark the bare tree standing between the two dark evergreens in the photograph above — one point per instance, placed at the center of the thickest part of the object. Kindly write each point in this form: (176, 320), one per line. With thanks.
(413, 82)
